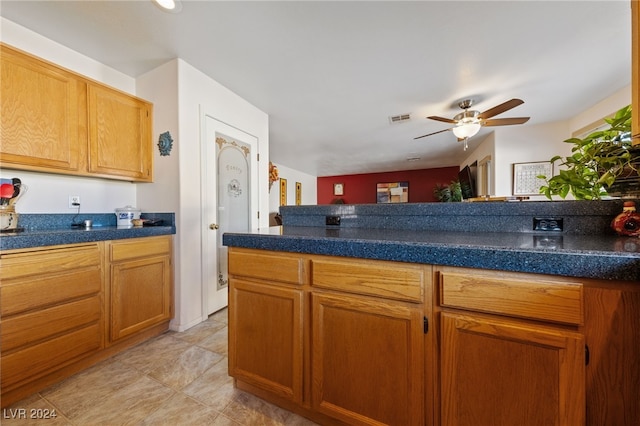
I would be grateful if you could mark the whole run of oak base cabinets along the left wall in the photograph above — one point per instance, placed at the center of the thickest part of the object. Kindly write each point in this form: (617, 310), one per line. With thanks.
(64, 308)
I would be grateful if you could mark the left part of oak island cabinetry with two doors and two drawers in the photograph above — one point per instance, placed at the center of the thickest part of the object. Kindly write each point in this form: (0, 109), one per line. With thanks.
(340, 341)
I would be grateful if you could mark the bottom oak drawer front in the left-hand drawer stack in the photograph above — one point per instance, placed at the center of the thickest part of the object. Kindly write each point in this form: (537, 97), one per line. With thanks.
(40, 359)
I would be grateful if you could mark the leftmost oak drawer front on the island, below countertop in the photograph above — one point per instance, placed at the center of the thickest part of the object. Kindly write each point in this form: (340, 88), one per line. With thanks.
(272, 267)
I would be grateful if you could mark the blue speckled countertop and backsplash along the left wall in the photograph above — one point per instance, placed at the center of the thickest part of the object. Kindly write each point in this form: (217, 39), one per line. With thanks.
(55, 229)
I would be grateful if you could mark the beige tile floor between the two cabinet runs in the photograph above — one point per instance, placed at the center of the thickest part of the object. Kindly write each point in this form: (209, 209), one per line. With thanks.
(174, 379)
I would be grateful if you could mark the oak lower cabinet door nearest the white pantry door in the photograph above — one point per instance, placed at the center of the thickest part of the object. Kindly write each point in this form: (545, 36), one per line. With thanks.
(140, 294)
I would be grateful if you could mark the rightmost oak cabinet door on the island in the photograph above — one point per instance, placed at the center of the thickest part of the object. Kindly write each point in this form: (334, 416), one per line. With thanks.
(500, 372)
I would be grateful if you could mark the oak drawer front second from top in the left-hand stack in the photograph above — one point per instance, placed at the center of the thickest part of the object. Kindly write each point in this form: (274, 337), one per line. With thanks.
(35, 292)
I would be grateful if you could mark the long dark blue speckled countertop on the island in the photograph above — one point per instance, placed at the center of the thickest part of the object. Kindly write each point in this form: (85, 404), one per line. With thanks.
(591, 256)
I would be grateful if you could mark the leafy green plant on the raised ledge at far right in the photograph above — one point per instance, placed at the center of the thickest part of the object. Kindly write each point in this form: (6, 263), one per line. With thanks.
(603, 163)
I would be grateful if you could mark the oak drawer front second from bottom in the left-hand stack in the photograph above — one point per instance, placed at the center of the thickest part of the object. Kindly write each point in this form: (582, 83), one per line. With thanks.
(27, 329)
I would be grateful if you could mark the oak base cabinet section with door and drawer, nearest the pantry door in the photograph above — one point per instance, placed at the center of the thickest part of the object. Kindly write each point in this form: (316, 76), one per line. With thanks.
(140, 279)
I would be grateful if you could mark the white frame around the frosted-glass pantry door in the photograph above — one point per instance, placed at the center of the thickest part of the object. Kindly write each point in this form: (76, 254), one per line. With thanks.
(208, 199)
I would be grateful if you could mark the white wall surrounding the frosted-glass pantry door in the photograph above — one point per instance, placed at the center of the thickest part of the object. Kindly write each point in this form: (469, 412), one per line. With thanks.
(180, 93)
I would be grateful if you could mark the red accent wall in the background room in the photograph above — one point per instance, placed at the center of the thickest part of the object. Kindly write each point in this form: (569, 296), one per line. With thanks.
(361, 189)
